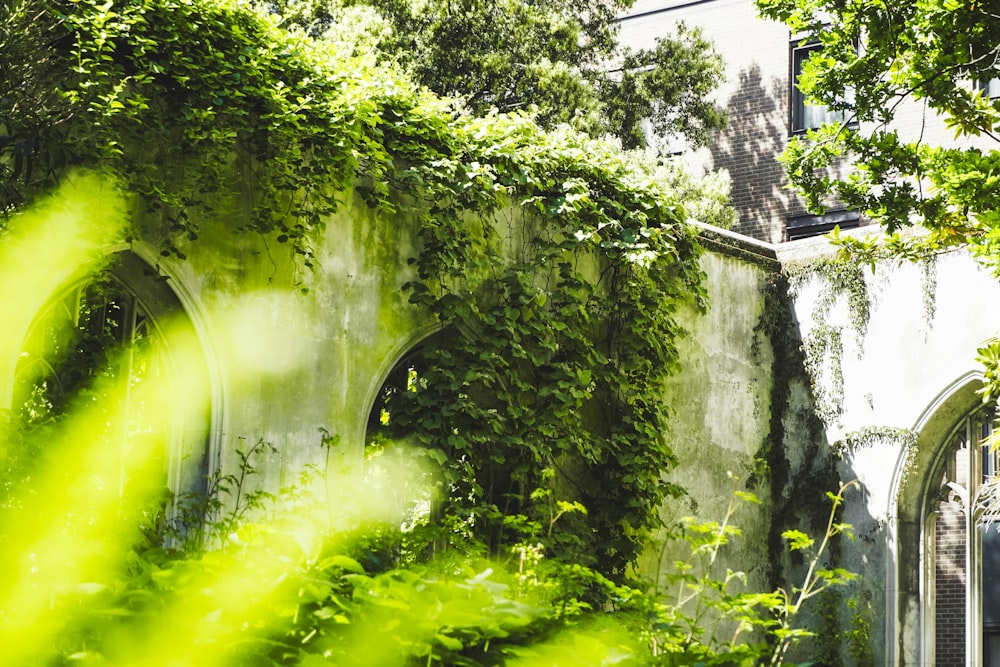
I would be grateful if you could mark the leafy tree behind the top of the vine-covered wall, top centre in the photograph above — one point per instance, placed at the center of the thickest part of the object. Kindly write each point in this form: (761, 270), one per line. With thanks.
(559, 58)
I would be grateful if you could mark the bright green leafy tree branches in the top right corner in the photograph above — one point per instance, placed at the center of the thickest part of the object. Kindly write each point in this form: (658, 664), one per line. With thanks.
(890, 55)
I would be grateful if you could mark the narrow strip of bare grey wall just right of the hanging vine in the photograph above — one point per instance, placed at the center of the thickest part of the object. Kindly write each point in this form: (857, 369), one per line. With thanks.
(720, 402)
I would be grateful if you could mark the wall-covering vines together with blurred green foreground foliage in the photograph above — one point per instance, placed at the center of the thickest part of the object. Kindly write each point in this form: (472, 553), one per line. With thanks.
(558, 270)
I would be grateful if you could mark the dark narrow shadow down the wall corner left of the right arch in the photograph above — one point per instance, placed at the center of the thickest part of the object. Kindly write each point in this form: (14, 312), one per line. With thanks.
(798, 466)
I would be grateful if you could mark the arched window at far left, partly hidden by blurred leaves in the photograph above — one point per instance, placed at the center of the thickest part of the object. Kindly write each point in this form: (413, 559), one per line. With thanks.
(109, 331)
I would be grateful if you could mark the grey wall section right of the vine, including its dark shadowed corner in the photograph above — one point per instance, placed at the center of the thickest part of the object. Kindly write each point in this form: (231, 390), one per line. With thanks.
(745, 419)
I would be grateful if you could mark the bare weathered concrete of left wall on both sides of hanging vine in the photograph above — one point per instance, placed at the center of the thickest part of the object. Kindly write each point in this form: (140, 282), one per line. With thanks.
(293, 351)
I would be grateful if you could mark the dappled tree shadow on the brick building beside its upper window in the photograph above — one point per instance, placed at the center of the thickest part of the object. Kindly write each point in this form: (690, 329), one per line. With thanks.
(749, 149)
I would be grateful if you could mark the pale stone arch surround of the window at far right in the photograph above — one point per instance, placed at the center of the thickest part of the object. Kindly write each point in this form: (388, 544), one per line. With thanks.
(919, 493)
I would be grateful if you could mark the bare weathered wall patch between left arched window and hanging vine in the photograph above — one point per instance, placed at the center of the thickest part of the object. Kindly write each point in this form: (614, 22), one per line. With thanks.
(296, 350)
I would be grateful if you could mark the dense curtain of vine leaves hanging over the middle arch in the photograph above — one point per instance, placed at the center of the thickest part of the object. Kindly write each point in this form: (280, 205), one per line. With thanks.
(561, 335)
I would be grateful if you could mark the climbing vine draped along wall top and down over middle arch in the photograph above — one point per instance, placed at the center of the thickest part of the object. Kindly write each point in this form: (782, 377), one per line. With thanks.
(556, 268)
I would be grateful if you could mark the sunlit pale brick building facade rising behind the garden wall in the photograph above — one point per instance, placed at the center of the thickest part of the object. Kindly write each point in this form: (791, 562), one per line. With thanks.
(757, 95)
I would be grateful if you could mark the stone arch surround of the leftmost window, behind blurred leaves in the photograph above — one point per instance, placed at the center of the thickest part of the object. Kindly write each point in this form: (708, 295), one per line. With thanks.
(146, 305)
